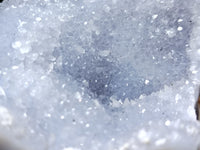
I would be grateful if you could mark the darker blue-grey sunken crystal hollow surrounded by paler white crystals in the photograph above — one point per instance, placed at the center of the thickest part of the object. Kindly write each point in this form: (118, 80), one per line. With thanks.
(140, 45)
